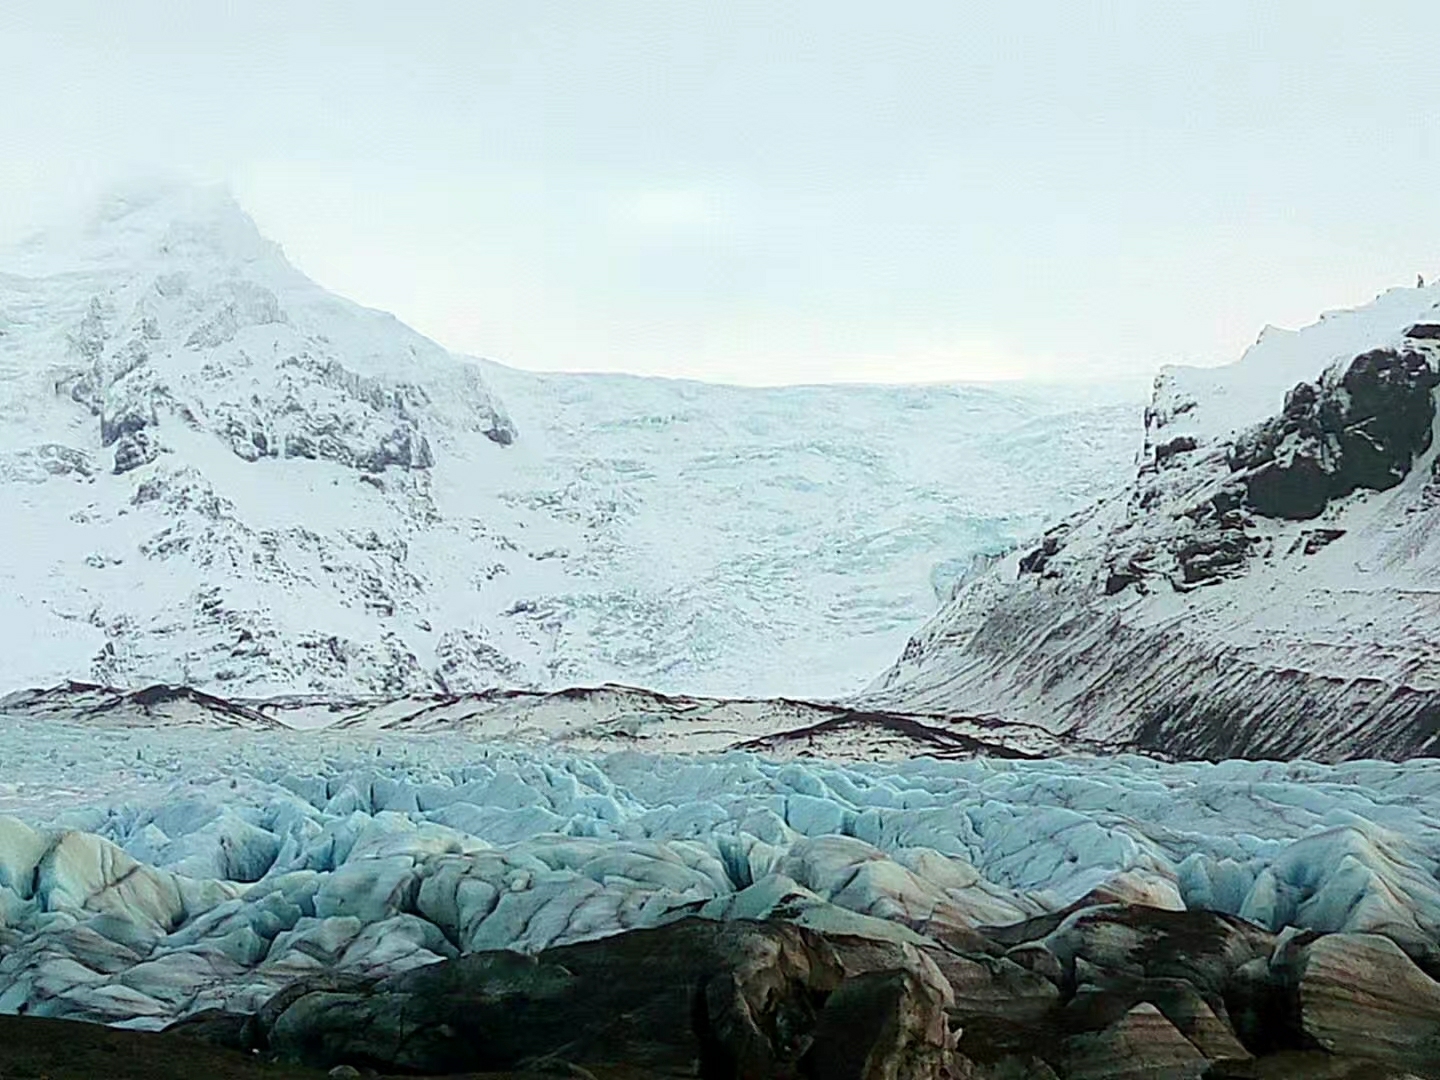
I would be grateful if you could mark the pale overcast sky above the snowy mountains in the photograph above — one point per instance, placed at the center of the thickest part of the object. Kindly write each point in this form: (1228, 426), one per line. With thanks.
(773, 192)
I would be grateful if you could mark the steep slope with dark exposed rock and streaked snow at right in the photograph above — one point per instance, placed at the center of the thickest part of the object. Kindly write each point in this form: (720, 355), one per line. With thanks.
(1269, 584)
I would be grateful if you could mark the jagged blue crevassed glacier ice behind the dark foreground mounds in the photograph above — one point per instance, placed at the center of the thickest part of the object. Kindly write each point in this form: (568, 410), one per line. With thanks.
(152, 872)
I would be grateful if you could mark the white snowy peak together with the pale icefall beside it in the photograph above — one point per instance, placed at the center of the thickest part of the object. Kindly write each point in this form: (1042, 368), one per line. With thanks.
(215, 473)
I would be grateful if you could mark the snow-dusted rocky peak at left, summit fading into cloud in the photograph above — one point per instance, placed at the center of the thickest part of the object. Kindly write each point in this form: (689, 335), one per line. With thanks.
(212, 467)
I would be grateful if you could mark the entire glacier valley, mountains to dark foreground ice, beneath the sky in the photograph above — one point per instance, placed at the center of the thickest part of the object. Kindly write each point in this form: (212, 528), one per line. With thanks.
(364, 706)
